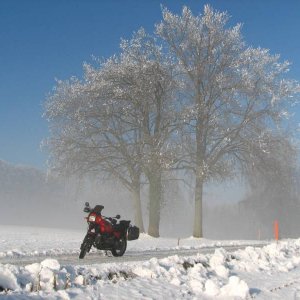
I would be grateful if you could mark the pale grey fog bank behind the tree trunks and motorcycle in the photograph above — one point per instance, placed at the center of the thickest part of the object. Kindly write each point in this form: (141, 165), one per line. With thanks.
(28, 197)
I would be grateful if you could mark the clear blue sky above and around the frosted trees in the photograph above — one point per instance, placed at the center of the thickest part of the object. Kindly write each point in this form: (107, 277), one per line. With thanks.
(42, 40)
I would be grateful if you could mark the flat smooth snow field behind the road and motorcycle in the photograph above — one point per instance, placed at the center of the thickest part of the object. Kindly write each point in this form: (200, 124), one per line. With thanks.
(18, 241)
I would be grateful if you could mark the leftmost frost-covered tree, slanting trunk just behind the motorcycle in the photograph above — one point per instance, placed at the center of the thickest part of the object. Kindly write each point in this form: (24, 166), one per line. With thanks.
(88, 135)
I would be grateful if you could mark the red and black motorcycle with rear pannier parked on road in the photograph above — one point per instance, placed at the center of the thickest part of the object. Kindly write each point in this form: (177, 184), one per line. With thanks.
(106, 233)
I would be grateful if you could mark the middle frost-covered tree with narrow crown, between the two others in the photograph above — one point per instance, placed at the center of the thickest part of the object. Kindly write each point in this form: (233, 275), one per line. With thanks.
(152, 93)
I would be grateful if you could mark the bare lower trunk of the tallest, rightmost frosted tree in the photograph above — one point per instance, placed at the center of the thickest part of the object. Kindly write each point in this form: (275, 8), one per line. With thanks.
(198, 208)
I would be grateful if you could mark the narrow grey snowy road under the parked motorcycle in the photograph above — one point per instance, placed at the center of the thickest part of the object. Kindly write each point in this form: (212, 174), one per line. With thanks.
(96, 258)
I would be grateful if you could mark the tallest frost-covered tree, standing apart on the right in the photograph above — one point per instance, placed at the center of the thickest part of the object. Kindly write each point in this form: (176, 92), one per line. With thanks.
(234, 95)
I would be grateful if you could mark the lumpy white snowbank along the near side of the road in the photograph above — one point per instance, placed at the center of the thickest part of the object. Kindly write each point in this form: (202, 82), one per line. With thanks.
(196, 277)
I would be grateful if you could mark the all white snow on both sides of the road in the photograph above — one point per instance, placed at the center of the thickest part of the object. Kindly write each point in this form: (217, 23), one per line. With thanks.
(271, 272)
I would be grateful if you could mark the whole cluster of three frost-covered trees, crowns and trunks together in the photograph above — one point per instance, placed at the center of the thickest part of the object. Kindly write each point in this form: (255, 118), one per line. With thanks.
(192, 96)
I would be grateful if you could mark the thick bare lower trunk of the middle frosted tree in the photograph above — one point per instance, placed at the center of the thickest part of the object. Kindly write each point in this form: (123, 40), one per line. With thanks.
(155, 197)
